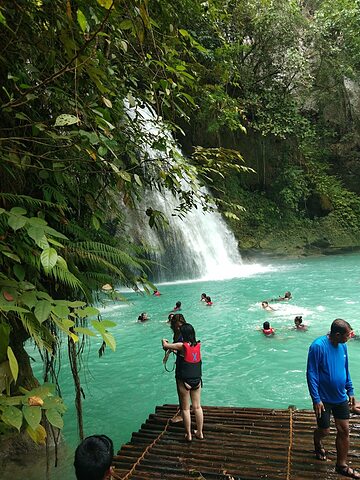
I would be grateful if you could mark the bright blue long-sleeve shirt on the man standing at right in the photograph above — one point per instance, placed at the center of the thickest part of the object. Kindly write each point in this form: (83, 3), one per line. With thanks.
(327, 372)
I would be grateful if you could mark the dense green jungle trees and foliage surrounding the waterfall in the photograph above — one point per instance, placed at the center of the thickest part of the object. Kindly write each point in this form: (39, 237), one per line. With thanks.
(263, 96)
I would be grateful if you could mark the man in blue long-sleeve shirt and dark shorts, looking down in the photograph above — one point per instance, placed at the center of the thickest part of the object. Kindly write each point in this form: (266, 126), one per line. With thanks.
(331, 391)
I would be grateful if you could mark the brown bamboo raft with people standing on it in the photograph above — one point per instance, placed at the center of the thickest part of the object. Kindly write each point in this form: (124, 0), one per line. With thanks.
(239, 444)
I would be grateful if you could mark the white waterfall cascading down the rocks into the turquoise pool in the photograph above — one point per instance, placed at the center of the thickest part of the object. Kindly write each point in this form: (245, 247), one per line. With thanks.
(198, 246)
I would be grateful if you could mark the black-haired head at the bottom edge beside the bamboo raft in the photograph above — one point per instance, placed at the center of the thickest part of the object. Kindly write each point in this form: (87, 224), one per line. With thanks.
(93, 457)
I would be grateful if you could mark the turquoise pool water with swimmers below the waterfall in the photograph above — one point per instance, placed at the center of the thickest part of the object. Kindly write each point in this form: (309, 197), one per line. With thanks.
(241, 366)
